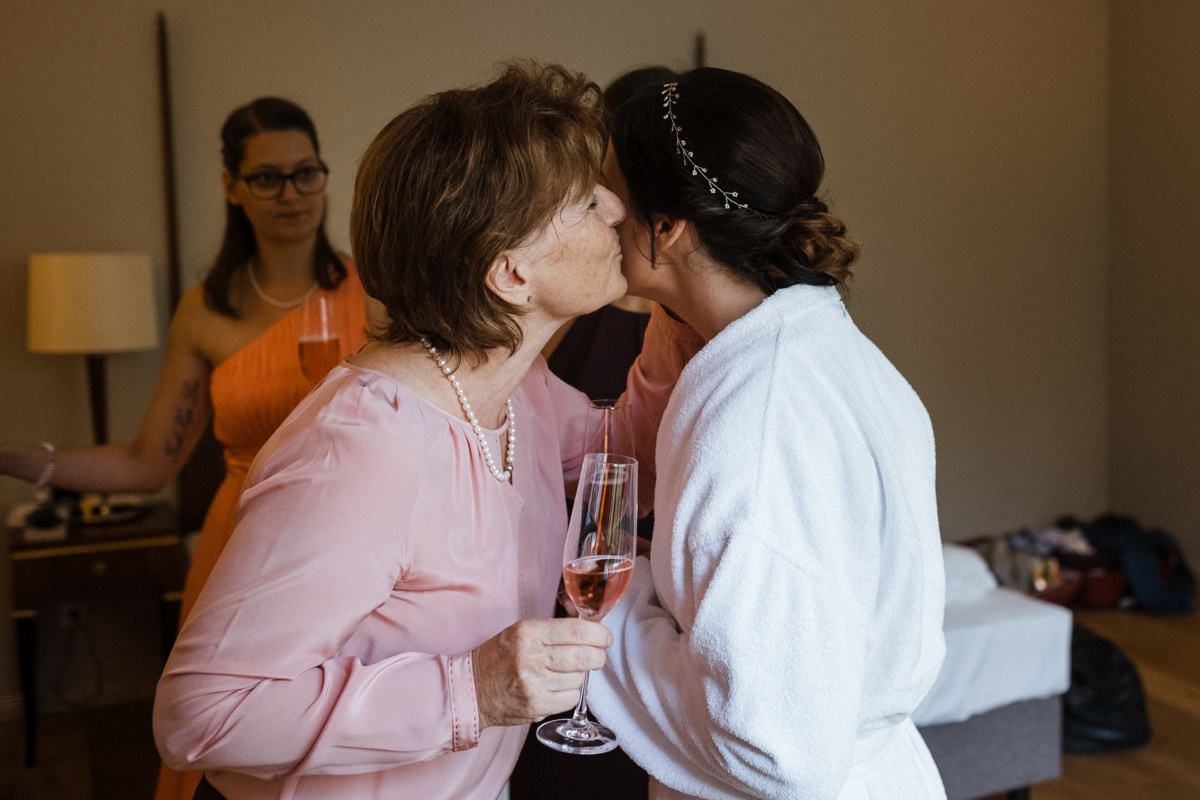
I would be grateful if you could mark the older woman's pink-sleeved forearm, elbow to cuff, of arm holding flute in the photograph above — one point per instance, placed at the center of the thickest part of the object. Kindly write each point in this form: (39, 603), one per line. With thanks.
(340, 718)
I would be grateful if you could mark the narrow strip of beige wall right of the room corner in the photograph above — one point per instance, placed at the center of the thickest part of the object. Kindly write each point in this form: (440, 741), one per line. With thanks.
(1155, 244)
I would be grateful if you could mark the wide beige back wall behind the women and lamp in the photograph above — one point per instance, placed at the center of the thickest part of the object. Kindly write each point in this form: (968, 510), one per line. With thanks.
(967, 146)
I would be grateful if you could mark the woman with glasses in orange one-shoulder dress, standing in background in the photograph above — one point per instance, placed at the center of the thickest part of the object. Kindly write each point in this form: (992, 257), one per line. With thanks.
(233, 348)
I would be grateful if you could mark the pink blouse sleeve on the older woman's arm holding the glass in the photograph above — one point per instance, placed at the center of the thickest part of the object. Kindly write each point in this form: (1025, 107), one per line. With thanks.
(256, 683)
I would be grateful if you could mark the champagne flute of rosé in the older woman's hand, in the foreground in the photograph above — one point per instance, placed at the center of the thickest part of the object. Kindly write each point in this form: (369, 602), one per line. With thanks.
(598, 564)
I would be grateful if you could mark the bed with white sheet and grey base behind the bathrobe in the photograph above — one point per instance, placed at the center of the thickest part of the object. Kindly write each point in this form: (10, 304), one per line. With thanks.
(993, 720)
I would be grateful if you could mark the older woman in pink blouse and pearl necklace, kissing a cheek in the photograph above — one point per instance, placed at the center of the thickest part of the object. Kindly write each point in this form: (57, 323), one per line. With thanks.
(377, 627)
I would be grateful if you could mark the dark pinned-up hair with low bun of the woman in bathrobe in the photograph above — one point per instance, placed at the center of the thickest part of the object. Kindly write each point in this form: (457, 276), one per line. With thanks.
(753, 140)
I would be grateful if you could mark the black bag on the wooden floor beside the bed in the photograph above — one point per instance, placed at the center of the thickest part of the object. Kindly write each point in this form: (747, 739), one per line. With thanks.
(1106, 707)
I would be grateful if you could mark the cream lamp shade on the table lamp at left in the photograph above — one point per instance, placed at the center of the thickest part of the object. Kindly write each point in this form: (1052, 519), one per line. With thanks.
(92, 303)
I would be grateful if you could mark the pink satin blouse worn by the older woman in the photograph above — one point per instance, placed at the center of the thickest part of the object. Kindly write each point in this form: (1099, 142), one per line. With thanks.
(329, 654)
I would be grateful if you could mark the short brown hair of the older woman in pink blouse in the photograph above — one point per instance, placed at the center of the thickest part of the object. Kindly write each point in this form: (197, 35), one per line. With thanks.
(458, 179)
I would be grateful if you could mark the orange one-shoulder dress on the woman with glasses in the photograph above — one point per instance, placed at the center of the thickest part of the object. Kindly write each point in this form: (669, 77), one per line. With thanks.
(253, 393)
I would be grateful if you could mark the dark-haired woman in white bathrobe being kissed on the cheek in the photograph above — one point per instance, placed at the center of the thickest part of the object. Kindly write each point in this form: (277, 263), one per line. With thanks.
(790, 619)
